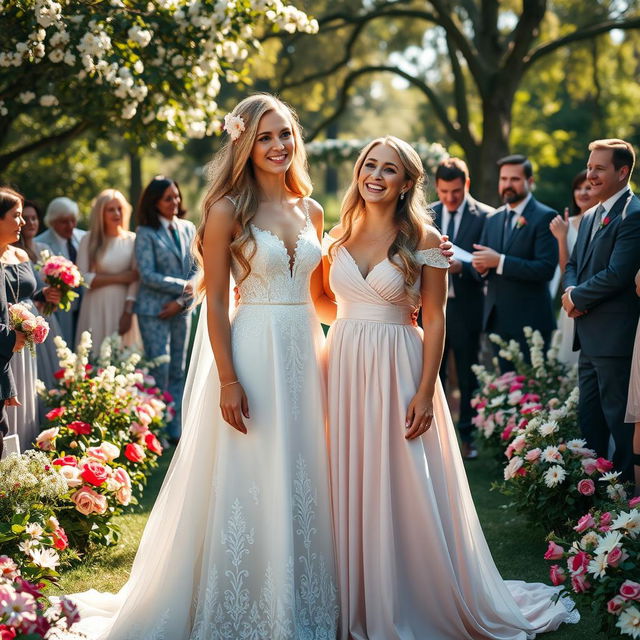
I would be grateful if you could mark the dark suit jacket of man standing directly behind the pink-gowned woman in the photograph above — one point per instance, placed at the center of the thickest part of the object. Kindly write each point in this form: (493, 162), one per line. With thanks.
(468, 286)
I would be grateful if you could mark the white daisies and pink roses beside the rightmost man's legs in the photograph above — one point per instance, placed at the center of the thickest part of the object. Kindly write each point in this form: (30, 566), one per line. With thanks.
(551, 476)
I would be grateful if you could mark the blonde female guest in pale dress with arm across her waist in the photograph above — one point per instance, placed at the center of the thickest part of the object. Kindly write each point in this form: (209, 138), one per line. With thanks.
(106, 258)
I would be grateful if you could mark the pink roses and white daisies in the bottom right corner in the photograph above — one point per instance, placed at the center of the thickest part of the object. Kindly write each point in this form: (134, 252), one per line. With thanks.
(600, 567)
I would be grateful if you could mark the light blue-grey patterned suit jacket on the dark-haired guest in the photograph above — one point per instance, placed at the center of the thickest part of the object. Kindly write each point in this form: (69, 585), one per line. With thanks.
(164, 269)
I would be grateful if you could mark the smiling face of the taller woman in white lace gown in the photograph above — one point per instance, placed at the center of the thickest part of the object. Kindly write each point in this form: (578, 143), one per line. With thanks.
(274, 145)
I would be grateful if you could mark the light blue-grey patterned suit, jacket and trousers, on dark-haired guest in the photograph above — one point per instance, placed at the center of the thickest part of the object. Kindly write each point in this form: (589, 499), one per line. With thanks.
(165, 269)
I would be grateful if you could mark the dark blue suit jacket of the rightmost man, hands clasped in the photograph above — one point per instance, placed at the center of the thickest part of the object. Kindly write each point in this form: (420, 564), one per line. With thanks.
(602, 271)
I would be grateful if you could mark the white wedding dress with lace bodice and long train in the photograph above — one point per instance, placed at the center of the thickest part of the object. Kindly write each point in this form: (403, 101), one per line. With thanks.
(239, 543)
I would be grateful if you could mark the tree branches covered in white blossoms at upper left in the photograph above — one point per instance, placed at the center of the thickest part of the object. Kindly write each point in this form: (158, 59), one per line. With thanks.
(152, 69)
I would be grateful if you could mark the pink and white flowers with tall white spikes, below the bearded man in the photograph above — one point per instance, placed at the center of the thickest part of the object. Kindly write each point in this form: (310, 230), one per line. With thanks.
(506, 401)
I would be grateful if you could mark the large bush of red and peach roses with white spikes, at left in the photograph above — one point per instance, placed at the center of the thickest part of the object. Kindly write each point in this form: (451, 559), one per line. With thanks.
(101, 437)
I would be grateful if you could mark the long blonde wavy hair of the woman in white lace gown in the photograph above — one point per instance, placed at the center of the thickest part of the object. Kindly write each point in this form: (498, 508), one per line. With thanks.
(231, 174)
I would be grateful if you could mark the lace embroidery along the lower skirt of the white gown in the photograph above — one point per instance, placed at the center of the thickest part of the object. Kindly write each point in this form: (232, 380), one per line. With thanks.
(288, 608)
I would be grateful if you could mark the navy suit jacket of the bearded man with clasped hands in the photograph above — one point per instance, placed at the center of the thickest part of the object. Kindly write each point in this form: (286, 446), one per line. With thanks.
(520, 297)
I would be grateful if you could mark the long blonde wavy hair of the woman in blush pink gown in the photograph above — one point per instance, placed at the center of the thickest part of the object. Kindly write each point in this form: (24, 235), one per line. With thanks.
(412, 212)
